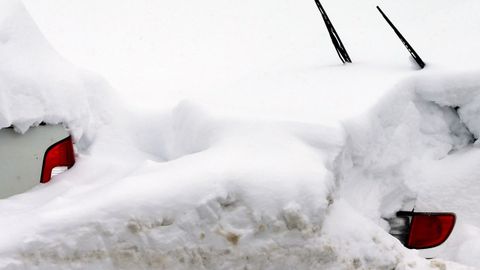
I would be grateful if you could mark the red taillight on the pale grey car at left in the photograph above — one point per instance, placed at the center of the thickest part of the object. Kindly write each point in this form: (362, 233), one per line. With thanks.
(60, 154)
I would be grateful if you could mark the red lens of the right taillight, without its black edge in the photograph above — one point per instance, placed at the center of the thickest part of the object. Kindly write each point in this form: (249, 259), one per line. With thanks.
(429, 230)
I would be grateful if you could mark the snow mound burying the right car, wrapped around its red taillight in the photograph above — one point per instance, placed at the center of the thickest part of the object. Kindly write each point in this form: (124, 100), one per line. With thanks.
(417, 148)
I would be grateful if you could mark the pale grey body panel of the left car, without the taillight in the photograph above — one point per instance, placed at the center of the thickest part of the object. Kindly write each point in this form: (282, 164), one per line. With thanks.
(21, 156)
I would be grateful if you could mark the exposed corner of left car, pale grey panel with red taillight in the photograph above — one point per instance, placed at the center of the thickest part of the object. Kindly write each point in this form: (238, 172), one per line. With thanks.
(34, 157)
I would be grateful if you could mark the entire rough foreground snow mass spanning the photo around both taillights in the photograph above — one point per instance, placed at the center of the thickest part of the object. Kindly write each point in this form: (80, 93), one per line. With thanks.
(187, 189)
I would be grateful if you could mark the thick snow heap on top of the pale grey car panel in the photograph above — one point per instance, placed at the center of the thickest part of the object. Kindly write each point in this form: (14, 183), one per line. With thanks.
(37, 85)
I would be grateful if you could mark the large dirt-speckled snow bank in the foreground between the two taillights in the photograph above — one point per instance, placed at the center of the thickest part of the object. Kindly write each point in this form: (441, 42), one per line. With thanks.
(210, 194)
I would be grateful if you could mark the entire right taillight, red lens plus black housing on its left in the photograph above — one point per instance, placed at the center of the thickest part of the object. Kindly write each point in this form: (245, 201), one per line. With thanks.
(425, 230)
